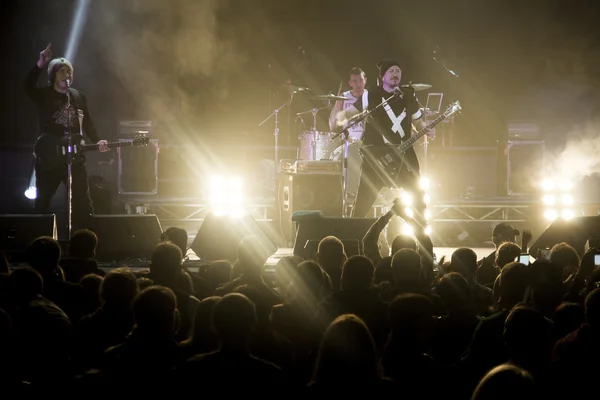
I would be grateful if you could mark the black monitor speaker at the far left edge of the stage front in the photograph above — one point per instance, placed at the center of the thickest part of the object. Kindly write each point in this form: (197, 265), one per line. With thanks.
(18, 230)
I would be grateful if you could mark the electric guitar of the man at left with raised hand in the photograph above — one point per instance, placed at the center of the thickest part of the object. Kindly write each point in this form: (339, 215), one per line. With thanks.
(51, 150)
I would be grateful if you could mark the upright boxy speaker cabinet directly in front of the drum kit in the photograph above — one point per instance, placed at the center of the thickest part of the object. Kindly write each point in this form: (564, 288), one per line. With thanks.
(315, 192)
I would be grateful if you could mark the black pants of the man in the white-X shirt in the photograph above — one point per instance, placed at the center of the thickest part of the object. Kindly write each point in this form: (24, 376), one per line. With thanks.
(370, 185)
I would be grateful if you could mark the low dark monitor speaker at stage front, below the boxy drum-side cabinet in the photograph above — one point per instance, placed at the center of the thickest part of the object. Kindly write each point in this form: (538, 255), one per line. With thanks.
(317, 227)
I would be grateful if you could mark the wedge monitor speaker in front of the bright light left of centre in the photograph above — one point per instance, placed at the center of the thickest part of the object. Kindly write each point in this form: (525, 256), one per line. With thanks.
(219, 237)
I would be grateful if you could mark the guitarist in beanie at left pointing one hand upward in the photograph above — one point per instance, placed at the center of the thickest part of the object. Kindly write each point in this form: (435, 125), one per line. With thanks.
(51, 102)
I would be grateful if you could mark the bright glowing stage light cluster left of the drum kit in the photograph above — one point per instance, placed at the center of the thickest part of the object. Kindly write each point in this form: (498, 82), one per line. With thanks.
(227, 196)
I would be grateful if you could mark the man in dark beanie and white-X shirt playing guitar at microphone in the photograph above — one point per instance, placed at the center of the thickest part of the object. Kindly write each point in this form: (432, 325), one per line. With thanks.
(389, 124)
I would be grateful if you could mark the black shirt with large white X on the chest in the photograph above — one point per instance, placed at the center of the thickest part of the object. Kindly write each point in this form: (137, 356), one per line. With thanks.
(380, 128)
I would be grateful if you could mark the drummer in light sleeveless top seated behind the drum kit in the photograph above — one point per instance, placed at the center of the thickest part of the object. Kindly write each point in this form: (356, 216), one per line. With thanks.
(357, 82)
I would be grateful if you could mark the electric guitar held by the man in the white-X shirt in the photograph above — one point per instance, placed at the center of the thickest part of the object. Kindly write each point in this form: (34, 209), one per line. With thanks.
(387, 160)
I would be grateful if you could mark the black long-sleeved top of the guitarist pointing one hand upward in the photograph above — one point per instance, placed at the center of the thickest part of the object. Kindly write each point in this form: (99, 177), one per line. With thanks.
(51, 108)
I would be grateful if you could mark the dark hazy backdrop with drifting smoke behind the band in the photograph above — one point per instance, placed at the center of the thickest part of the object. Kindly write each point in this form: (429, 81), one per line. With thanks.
(208, 72)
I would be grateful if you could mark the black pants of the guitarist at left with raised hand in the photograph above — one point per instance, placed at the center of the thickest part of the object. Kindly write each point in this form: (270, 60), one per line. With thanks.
(47, 181)
